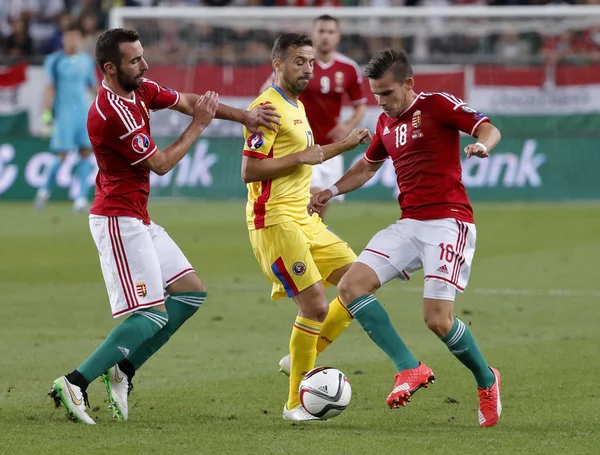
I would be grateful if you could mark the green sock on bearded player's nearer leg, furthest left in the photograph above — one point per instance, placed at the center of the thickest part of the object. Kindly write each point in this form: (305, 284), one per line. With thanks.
(124, 339)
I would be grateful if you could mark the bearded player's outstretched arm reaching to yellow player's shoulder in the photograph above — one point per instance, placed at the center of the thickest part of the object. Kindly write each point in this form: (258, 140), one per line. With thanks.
(264, 115)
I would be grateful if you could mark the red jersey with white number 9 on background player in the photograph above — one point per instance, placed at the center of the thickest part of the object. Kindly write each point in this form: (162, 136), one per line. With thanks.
(324, 94)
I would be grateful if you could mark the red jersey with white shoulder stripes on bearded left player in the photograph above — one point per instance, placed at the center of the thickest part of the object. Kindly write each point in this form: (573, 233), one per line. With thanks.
(119, 129)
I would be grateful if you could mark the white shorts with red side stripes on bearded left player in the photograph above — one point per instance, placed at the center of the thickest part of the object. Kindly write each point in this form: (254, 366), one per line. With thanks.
(138, 261)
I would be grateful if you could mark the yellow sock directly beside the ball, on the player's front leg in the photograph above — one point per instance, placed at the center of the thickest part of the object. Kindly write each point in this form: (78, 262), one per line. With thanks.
(303, 351)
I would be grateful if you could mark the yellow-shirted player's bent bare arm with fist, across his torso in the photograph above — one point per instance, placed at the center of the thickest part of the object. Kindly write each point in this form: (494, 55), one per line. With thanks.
(258, 170)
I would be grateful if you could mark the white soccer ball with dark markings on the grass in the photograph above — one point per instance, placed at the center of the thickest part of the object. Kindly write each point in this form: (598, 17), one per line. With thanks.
(325, 392)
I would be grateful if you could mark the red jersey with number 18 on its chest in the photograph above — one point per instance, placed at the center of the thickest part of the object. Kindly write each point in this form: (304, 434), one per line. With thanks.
(424, 145)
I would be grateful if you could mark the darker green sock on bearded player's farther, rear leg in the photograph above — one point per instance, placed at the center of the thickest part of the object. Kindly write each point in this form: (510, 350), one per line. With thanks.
(180, 306)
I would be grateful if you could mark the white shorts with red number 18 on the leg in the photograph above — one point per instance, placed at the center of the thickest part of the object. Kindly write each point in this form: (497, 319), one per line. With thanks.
(443, 248)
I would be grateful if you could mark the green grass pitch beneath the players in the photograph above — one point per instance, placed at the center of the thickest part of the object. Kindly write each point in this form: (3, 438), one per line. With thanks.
(532, 303)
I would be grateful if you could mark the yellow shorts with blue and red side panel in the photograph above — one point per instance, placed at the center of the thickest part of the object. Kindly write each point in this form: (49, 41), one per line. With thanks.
(294, 256)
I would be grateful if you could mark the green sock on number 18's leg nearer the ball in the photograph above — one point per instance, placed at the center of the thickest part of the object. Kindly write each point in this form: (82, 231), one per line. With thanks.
(376, 322)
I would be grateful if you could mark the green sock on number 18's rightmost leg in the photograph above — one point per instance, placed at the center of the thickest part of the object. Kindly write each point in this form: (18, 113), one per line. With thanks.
(460, 343)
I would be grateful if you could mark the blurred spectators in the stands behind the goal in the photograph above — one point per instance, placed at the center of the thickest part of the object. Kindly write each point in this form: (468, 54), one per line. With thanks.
(31, 29)
